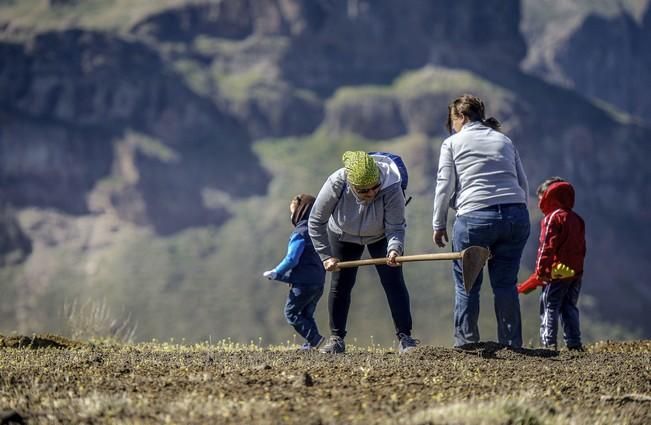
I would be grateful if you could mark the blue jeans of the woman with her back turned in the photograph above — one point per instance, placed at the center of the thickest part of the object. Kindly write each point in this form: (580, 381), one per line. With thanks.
(504, 230)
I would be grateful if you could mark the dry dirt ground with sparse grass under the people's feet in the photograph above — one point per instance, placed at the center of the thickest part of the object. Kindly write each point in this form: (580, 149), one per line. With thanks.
(48, 379)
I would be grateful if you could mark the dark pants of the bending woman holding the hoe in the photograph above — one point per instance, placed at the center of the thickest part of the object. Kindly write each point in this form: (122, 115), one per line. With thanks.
(343, 281)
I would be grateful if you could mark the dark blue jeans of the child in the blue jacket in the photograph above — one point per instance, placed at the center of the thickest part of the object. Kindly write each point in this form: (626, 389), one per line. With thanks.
(299, 311)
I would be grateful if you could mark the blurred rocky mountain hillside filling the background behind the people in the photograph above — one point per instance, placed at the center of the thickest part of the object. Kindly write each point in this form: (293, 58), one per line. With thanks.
(148, 150)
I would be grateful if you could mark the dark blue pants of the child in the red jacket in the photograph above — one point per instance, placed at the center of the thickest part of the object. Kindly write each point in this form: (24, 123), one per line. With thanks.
(559, 298)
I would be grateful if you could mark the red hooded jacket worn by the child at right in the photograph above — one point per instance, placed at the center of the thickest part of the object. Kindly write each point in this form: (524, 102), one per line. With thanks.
(562, 232)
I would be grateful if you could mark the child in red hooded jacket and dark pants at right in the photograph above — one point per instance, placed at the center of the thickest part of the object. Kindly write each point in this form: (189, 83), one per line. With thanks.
(559, 265)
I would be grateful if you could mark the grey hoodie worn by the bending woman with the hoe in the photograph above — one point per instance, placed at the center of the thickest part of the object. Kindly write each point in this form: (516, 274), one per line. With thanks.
(338, 209)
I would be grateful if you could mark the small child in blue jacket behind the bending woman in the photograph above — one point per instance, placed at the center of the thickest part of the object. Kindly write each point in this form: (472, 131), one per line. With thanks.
(303, 270)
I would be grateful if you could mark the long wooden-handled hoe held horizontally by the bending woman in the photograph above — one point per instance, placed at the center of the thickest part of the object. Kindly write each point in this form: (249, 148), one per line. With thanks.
(472, 259)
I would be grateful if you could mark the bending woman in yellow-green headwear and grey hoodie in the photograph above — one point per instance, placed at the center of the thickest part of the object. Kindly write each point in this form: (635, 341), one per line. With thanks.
(362, 205)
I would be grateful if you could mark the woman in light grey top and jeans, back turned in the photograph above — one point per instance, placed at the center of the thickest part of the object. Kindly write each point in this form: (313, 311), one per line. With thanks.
(480, 175)
